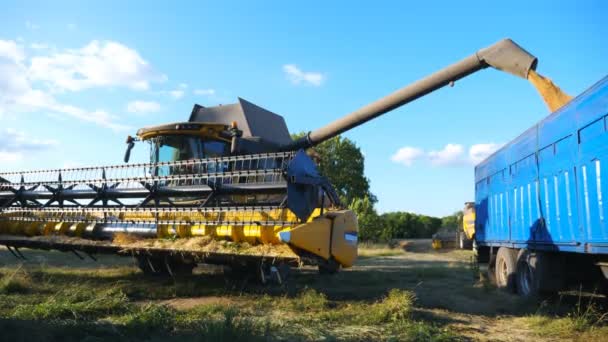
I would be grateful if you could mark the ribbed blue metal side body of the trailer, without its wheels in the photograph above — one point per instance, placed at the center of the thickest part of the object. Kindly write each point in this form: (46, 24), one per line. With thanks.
(548, 188)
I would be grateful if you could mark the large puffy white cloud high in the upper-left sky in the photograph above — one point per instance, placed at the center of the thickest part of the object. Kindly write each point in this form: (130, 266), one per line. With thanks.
(98, 64)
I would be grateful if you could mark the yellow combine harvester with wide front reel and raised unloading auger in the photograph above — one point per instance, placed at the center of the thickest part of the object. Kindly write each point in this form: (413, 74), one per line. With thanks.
(227, 187)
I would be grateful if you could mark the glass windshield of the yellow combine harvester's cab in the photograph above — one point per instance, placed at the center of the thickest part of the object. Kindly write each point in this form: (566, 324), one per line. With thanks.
(170, 148)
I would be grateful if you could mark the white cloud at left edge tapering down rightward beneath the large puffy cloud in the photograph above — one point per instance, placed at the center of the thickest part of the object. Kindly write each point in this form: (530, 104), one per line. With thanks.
(19, 94)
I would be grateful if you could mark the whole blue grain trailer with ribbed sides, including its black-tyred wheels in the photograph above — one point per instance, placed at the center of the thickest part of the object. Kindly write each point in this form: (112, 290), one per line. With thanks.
(540, 201)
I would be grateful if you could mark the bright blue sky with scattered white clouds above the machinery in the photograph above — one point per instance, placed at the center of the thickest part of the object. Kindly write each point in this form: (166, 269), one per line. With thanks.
(76, 78)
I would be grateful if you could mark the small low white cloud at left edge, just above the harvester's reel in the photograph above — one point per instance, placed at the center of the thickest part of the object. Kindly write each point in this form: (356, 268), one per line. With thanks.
(13, 144)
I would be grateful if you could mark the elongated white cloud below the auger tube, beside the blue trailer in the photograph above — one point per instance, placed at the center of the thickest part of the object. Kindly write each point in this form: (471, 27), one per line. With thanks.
(450, 155)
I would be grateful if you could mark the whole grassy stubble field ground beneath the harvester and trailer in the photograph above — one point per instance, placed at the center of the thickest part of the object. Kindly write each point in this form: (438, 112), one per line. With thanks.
(414, 294)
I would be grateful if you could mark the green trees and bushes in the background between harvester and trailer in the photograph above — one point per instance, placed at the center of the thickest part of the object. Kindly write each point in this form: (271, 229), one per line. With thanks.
(341, 161)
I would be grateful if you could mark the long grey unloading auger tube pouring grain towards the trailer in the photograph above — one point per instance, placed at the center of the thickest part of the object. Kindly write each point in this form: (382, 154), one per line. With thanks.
(505, 55)
